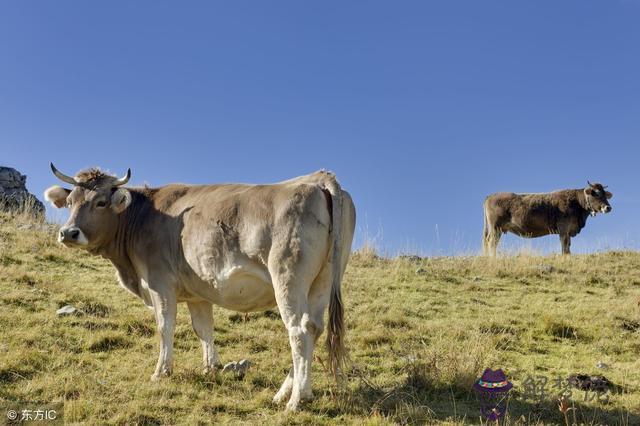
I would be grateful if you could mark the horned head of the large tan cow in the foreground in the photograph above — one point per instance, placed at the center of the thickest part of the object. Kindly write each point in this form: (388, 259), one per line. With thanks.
(95, 201)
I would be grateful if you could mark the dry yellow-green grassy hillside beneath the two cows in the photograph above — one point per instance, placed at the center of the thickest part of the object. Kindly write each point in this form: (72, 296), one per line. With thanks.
(420, 331)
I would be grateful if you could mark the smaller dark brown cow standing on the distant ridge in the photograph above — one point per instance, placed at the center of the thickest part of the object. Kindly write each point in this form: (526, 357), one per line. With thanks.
(535, 215)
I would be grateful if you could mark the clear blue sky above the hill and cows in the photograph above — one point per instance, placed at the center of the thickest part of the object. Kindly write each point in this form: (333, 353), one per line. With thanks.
(421, 108)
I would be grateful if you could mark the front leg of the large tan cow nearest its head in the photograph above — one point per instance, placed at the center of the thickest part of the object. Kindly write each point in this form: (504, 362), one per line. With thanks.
(165, 307)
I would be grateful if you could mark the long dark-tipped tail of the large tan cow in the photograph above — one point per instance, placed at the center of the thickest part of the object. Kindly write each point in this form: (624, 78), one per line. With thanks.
(335, 334)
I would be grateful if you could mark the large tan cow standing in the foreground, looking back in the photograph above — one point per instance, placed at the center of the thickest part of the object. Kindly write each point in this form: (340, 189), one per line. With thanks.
(243, 247)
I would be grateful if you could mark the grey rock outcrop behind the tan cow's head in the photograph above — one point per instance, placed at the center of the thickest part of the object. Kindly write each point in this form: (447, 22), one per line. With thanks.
(14, 196)
